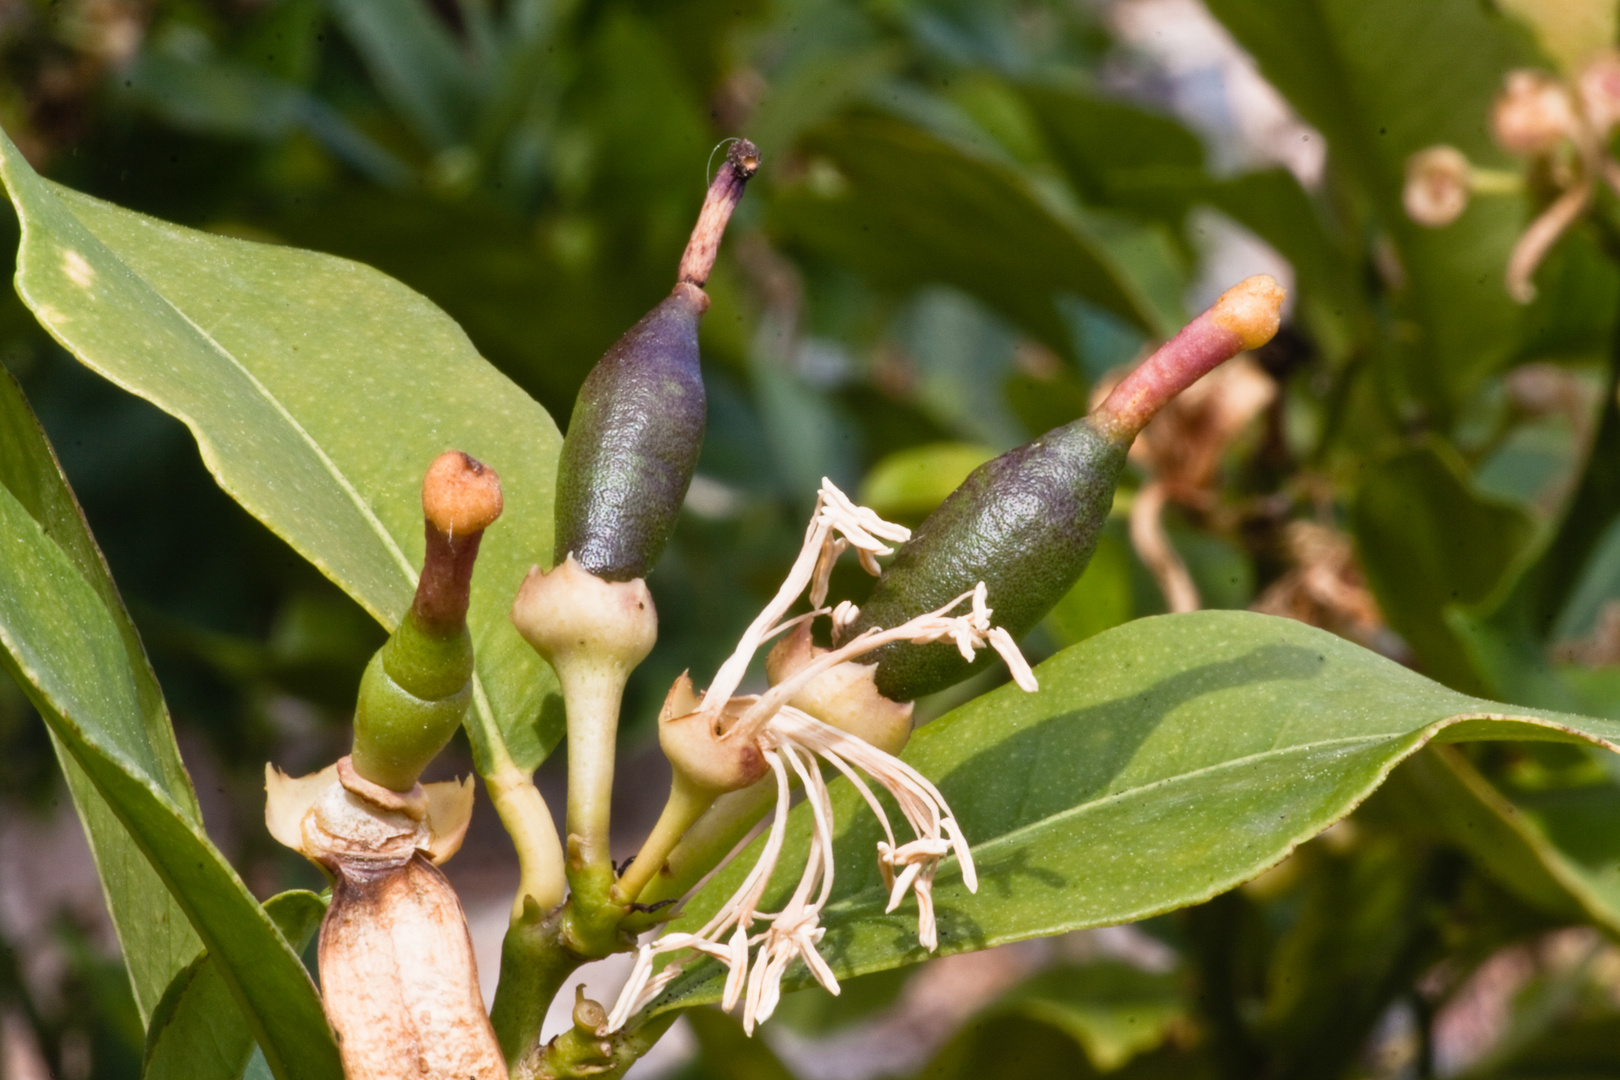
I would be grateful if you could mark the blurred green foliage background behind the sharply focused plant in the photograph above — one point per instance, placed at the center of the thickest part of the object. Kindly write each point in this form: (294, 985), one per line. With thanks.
(973, 215)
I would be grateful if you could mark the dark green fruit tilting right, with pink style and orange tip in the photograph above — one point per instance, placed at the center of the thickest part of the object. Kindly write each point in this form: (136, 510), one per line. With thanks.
(1028, 522)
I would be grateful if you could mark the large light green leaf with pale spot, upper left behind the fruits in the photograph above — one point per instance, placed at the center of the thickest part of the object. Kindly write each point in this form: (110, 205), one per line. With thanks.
(318, 393)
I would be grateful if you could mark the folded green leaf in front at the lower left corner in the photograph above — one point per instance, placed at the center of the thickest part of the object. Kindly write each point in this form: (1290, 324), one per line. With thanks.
(64, 647)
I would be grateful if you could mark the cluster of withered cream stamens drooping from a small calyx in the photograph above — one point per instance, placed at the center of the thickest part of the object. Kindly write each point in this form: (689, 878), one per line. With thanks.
(788, 742)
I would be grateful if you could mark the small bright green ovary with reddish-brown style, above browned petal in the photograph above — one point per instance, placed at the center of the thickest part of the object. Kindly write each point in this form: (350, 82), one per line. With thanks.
(417, 687)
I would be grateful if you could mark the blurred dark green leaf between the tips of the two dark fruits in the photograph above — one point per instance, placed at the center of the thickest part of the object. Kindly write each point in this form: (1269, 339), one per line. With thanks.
(908, 208)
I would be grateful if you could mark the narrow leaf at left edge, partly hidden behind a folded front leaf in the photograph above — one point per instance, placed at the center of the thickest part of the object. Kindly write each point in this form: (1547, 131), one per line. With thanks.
(155, 937)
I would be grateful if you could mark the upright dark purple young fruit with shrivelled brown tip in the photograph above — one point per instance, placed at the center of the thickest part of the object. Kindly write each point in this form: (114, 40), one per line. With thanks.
(637, 423)
